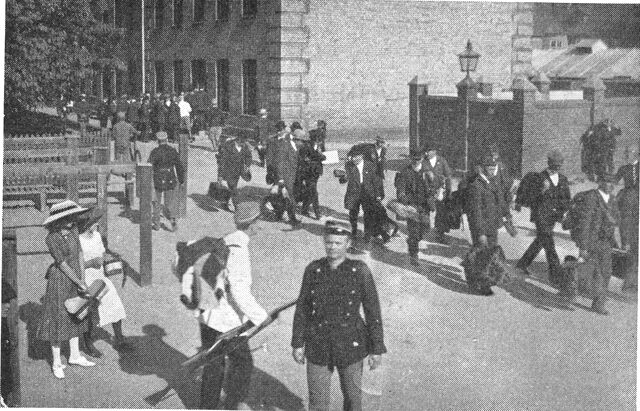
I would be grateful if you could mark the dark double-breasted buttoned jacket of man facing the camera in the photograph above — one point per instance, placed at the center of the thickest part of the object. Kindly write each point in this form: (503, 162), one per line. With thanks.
(327, 321)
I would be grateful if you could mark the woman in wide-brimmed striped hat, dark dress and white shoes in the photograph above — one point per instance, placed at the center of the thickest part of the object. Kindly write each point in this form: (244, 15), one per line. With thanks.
(64, 280)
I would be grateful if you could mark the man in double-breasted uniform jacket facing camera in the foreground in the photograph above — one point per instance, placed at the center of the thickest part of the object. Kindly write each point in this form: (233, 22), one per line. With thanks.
(328, 331)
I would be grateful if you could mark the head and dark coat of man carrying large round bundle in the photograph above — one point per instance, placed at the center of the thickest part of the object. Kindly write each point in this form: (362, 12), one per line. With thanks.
(486, 207)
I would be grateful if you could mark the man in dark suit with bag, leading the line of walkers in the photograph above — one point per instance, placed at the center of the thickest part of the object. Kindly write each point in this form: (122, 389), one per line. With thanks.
(235, 161)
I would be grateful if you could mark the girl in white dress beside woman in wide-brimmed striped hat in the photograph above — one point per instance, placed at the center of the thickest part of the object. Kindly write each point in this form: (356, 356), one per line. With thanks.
(110, 309)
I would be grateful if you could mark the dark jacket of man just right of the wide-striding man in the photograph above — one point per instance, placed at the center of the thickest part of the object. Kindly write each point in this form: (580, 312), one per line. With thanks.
(598, 222)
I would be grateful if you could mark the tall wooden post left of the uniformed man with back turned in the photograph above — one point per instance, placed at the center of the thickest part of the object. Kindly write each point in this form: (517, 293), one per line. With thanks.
(144, 179)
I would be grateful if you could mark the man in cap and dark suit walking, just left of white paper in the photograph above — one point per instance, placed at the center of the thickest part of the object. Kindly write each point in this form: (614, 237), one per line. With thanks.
(286, 158)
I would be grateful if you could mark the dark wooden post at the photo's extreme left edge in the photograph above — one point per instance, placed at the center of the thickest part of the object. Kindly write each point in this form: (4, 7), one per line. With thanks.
(9, 274)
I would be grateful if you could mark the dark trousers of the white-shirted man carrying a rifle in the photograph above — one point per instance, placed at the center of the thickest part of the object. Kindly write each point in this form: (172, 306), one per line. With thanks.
(240, 367)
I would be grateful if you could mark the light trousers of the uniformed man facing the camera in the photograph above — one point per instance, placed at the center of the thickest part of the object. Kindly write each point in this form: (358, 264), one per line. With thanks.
(319, 381)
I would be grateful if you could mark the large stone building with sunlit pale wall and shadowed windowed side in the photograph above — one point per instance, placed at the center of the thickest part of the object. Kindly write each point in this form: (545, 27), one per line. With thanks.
(345, 61)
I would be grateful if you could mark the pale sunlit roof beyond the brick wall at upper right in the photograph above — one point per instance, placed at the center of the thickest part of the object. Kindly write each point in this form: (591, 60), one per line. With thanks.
(603, 63)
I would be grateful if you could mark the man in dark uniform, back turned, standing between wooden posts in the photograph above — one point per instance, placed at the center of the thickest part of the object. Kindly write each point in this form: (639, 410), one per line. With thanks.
(166, 168)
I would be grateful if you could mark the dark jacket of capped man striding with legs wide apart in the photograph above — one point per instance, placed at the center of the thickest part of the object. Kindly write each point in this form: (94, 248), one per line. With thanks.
(550, 205)
